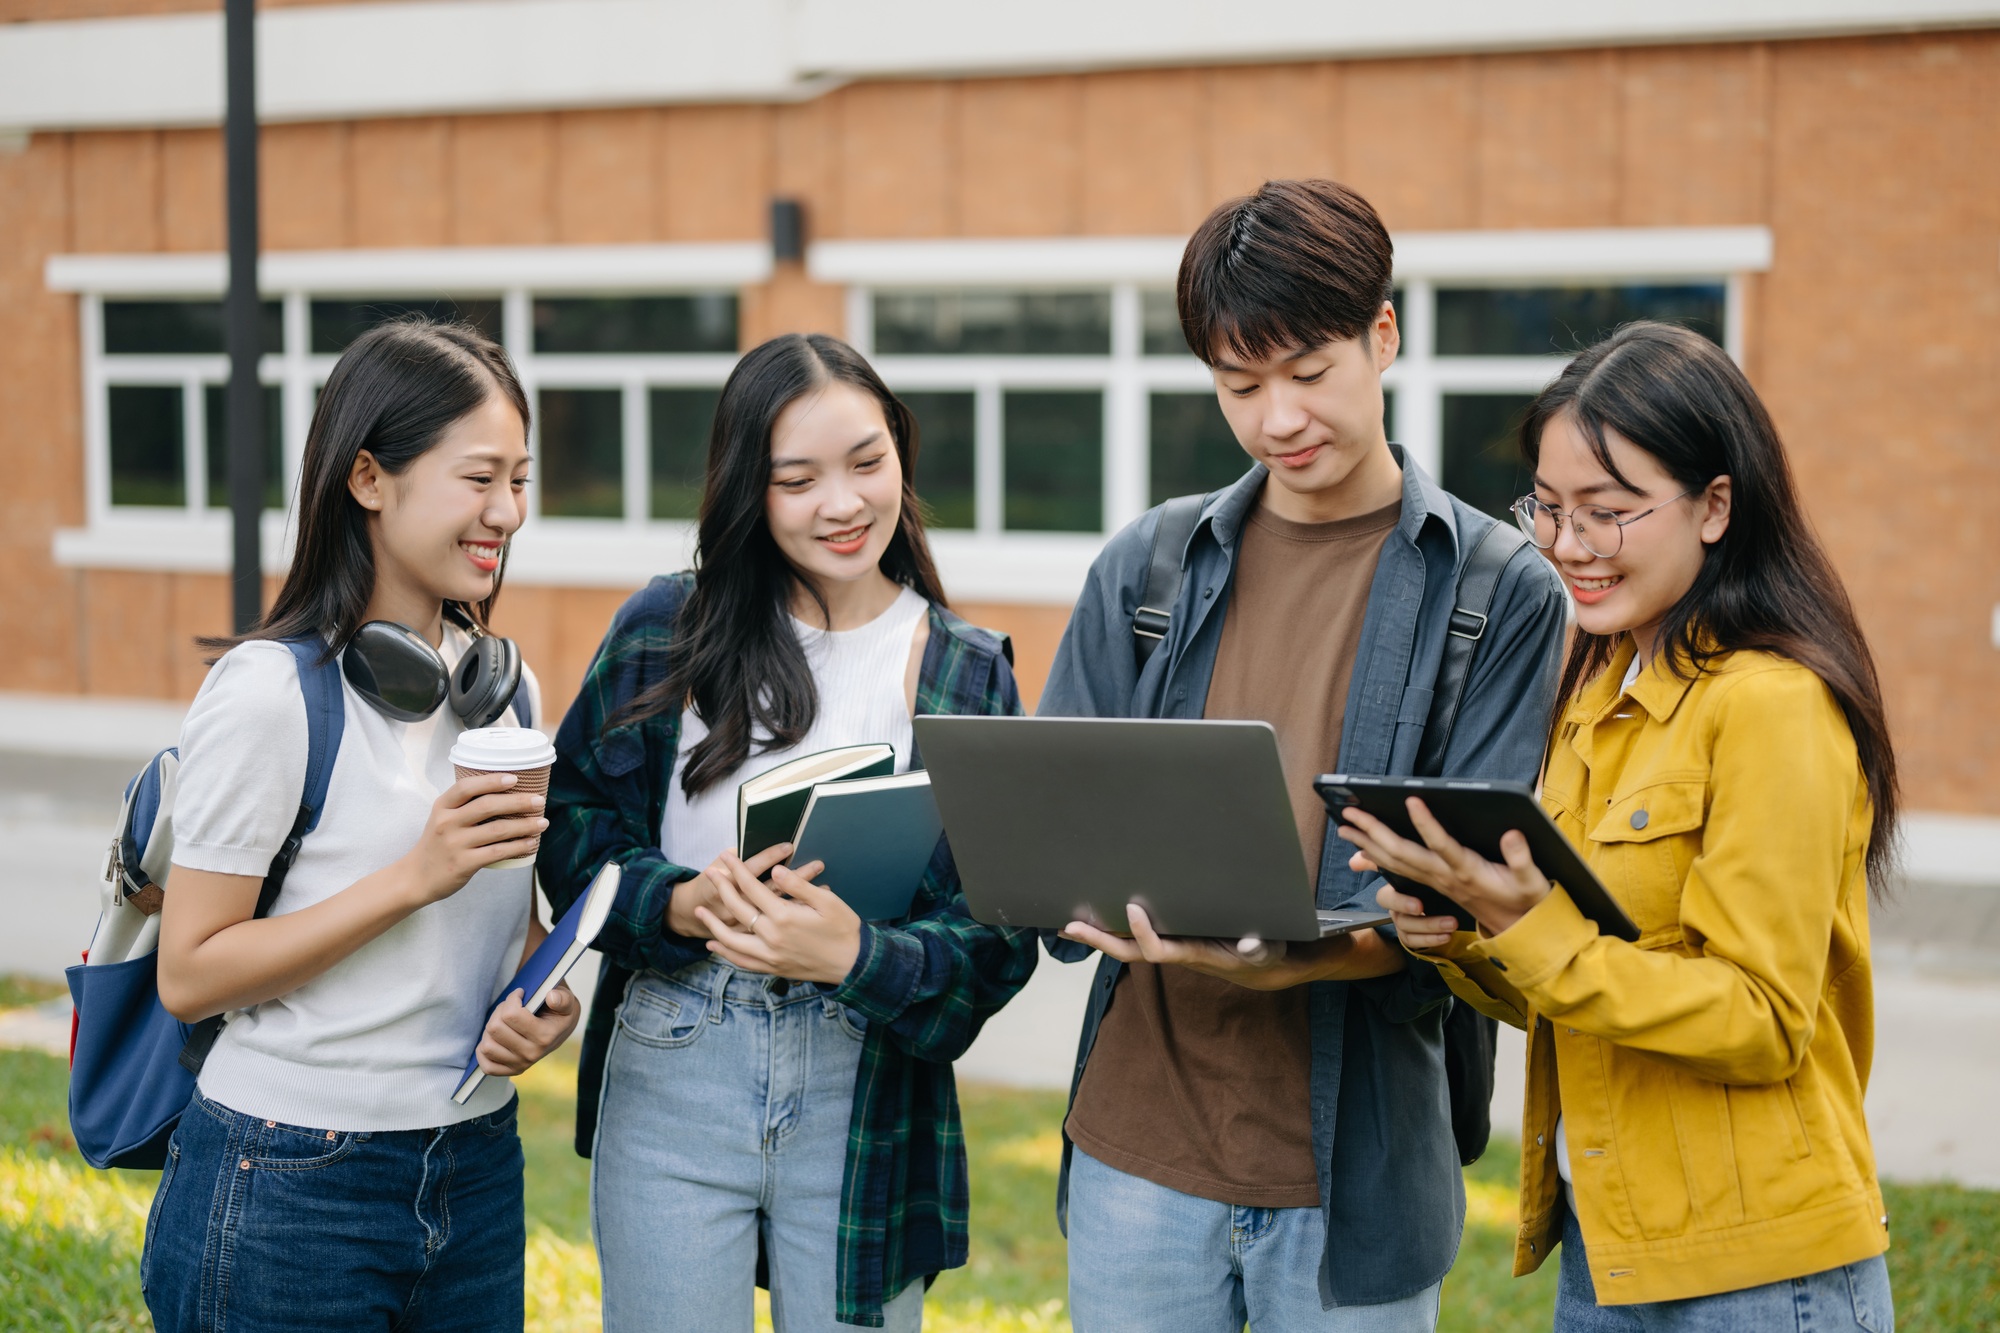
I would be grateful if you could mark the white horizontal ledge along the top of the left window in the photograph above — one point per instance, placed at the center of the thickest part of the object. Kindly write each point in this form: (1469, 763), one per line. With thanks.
(447, 269)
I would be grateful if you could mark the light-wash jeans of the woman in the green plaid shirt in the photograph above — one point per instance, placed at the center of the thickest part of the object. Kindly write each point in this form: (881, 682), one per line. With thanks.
(723, 1122)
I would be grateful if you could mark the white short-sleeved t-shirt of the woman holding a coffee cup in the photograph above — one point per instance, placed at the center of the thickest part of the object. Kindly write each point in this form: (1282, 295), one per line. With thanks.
(379, 1040)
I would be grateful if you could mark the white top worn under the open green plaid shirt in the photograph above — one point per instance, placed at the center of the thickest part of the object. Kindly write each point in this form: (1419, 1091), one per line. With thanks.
(859, 680)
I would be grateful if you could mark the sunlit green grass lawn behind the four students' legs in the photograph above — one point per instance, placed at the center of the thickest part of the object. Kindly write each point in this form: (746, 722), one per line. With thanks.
(71, 1238)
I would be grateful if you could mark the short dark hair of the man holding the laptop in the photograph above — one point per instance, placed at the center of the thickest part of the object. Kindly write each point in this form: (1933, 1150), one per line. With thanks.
(1297, 265)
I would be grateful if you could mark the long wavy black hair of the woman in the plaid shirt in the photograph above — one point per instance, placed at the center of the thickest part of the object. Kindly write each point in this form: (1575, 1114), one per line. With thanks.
(737, 659)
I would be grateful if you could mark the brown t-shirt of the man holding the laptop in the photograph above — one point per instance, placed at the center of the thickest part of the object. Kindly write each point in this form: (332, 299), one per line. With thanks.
(1199, 1084)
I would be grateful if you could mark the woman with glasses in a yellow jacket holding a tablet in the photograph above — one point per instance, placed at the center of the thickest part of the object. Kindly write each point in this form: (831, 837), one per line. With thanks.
(1693, 1132)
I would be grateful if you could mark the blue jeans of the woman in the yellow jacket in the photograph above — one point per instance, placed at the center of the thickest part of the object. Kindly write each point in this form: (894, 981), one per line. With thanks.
(1849, 1300)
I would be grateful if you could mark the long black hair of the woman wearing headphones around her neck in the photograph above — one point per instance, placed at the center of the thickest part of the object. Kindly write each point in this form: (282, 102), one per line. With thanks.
(395, 393)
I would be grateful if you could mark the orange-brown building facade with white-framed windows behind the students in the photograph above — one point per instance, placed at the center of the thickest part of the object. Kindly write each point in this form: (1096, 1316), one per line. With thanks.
(999, 227)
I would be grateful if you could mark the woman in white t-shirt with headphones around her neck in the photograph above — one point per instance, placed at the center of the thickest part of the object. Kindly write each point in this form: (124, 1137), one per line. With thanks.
(323, 1176)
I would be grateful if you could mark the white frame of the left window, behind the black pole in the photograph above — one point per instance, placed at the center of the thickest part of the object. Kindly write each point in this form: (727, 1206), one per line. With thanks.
(555, 551)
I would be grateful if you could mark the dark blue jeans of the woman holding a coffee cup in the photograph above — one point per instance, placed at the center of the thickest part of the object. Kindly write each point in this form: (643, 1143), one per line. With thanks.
(261, 1228)
